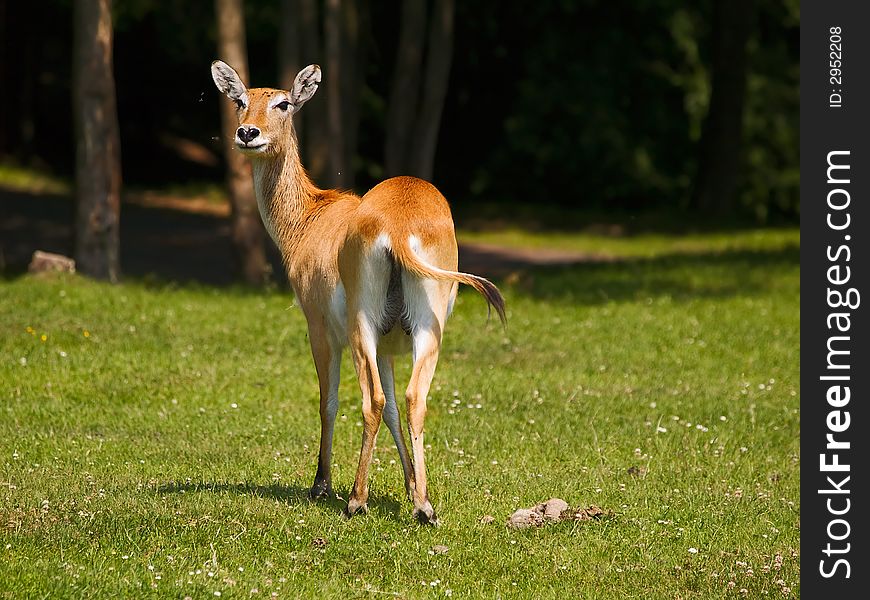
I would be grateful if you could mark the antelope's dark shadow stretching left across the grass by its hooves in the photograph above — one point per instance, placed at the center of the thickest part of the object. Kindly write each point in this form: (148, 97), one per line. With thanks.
(287, 494)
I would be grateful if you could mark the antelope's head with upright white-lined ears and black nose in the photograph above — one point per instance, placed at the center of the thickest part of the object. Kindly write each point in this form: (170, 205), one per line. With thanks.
(264, 114)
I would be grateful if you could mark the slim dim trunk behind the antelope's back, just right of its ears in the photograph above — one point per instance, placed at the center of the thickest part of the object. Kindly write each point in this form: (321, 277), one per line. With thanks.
(337, 174)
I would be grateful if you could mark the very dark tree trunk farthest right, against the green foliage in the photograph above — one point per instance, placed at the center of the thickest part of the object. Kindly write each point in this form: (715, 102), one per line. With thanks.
(721, 142)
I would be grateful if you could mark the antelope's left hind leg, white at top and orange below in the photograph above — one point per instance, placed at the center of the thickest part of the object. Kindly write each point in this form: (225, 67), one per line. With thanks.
(373, 401)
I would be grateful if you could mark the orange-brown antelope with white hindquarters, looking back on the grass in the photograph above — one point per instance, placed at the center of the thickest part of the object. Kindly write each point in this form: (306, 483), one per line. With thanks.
(377, 273)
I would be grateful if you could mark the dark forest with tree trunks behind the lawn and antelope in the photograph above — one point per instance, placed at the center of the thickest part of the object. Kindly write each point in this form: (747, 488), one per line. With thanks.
(685, 113)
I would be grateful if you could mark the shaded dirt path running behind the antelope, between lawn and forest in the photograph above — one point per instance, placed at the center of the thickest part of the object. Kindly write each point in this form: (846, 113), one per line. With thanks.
(190, 241)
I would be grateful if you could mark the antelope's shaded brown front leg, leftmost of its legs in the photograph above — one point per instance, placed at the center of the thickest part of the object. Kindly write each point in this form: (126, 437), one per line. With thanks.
(327, 361)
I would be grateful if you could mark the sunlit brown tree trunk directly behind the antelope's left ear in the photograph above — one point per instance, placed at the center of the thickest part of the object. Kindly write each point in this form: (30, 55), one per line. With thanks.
(247, 229)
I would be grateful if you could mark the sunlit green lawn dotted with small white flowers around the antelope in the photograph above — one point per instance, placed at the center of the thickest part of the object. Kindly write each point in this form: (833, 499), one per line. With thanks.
(160, 440)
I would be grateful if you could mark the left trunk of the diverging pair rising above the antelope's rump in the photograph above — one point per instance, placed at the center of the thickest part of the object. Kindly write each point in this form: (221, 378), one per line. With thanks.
(402, 104)
